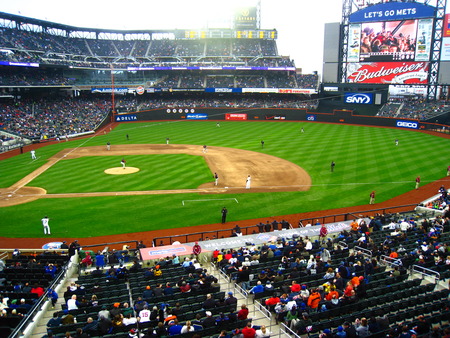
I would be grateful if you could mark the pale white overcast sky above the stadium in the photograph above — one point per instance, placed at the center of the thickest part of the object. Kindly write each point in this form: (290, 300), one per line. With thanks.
(300, 23)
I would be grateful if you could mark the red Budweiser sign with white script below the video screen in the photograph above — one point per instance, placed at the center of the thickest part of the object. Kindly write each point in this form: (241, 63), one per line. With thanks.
(388, 72)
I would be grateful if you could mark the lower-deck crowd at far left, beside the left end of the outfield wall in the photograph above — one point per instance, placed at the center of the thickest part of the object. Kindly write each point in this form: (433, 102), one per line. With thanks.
(48, 118)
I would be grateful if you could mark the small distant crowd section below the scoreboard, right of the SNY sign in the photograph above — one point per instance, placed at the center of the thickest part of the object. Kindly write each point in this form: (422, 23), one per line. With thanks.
(413, 108)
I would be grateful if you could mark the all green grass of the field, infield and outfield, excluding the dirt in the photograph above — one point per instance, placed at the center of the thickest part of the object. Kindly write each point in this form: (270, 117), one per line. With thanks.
(366, 159)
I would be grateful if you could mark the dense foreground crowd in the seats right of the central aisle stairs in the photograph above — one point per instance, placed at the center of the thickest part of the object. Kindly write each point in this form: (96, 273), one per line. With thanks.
(316, 276)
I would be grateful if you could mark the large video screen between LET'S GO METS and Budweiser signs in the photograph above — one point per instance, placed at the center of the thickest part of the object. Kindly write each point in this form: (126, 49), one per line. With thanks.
(389, 41)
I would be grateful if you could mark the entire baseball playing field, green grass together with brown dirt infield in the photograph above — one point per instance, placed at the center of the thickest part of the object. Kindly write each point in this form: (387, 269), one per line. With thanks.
(172, 185)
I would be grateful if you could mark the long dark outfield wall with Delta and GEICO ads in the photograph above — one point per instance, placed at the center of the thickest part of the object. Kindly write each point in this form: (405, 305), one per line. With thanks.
(278, 114)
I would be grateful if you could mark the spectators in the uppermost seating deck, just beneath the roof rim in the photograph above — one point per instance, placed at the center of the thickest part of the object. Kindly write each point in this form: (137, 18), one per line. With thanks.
(45, 48)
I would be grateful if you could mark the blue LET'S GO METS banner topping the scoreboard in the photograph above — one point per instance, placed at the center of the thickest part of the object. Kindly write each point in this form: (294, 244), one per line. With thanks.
(393, 11)
